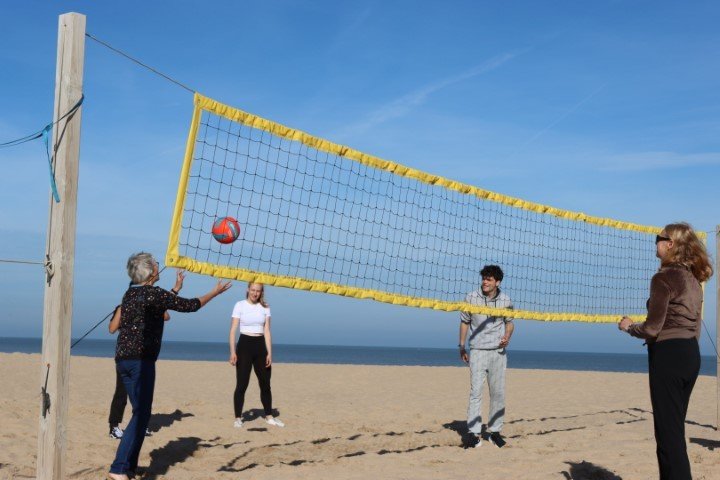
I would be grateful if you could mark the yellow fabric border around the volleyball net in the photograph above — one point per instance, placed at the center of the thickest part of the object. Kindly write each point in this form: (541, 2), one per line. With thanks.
(174, 259)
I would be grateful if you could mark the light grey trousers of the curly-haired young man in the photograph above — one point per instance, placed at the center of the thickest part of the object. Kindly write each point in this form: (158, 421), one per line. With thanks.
(488, 364)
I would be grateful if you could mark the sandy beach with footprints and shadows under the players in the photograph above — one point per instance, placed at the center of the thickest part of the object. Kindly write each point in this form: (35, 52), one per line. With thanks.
(355, 422)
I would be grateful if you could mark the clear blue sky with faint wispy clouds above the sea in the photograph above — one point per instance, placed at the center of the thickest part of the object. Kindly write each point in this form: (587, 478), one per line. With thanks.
(609, 108)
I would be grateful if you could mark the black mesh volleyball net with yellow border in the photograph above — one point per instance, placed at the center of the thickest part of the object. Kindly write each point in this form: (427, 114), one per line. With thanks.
(319, 216)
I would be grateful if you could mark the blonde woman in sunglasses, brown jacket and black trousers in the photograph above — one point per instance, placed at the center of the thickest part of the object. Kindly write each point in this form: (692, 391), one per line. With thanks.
(671, 330)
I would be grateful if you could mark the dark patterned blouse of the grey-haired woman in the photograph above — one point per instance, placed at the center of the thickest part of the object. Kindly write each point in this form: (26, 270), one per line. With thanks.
(141, 325)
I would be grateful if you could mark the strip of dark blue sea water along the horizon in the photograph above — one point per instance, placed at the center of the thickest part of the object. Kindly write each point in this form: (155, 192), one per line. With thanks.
(435, 357)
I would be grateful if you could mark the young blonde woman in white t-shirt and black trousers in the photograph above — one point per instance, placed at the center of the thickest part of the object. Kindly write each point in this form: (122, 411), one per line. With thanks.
(254, 350)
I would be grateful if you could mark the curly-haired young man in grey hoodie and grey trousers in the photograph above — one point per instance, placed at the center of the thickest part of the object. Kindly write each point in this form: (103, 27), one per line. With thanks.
(488, 337)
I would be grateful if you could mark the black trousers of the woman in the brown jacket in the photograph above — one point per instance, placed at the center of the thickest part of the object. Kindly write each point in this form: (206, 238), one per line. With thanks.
(673, 366)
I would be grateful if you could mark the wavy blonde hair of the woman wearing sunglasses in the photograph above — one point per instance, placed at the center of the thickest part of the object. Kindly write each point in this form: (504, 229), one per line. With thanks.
(688, 250)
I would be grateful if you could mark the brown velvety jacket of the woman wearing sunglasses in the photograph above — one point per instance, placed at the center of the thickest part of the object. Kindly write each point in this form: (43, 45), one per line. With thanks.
(674, 306)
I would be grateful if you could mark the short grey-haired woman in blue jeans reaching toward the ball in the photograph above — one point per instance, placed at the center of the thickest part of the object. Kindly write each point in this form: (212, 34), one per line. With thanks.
(138, 347)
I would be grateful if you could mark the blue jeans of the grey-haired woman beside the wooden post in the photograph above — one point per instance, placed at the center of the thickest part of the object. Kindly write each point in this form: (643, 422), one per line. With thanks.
(139, 379)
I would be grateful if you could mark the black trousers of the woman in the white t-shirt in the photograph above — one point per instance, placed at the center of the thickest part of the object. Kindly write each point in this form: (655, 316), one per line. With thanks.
(252, 354)
